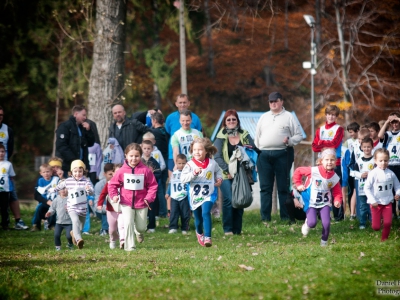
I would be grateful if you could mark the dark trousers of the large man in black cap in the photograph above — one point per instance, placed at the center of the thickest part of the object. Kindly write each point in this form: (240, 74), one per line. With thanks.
(273, 164)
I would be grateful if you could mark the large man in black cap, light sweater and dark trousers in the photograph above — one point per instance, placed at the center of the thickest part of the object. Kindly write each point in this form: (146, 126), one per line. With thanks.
(276, 133)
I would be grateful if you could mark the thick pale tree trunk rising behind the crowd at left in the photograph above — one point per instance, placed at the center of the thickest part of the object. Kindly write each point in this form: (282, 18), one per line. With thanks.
(106, 78)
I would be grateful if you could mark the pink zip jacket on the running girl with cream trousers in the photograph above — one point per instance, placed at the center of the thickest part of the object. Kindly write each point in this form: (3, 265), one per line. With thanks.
(134, 199)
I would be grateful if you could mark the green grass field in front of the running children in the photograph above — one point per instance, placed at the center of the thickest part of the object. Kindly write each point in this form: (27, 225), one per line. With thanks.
(165, 266)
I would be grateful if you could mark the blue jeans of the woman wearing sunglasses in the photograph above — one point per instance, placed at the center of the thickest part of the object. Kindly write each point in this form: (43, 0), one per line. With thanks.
(231, 217)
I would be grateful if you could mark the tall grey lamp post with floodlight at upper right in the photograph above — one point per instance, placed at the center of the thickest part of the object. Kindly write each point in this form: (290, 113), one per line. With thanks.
(312, 65)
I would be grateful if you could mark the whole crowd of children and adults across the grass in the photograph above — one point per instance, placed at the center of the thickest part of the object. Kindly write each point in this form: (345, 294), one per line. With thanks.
(164, 168)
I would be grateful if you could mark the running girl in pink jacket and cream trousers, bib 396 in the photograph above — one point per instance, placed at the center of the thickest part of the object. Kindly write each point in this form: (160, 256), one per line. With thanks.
(138, 188)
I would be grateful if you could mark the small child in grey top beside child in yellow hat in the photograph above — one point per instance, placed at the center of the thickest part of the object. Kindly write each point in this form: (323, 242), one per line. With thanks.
(58, 206)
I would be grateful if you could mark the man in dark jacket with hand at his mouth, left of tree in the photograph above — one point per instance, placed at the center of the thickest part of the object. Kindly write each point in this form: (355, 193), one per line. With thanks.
(74, 137)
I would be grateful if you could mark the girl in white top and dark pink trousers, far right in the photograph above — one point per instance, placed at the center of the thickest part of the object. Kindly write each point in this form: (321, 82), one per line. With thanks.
(378, 189)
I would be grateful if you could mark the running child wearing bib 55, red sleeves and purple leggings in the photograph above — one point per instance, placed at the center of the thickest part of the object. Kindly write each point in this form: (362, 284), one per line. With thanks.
(322, 183)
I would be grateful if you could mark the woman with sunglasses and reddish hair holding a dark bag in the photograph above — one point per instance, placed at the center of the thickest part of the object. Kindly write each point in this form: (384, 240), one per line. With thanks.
(228, 138)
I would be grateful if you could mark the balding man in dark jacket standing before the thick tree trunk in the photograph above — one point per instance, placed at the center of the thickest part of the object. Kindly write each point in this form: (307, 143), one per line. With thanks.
(126, 130)
